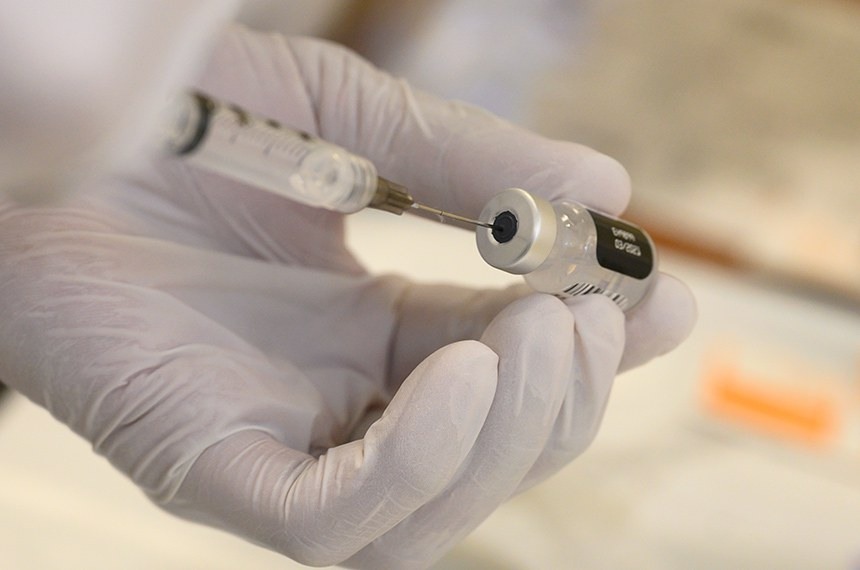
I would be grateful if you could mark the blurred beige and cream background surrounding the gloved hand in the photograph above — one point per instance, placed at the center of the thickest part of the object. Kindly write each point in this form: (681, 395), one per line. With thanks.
(739, 122)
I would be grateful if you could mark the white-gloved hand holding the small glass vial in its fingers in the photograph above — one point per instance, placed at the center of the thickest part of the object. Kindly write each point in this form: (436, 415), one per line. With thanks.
(223, 348)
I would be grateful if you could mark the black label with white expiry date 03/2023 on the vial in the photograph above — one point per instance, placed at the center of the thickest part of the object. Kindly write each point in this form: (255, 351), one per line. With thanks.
(622, 248)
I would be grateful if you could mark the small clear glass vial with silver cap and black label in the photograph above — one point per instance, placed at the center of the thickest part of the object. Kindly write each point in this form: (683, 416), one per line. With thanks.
(566, 249)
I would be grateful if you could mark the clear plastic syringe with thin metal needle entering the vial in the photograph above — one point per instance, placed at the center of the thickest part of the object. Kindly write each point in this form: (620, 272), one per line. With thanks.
(230, 141)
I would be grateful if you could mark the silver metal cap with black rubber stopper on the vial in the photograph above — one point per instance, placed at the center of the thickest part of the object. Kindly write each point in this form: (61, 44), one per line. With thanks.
(533, 233)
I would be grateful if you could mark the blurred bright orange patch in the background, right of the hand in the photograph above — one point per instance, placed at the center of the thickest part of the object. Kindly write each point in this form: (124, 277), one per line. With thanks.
(789, 410)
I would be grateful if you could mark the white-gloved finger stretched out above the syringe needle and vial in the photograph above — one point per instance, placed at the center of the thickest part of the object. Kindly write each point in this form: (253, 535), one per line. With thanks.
(449, 154)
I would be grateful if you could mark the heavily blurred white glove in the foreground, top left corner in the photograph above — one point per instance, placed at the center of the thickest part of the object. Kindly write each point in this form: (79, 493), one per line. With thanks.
(83, 79)
